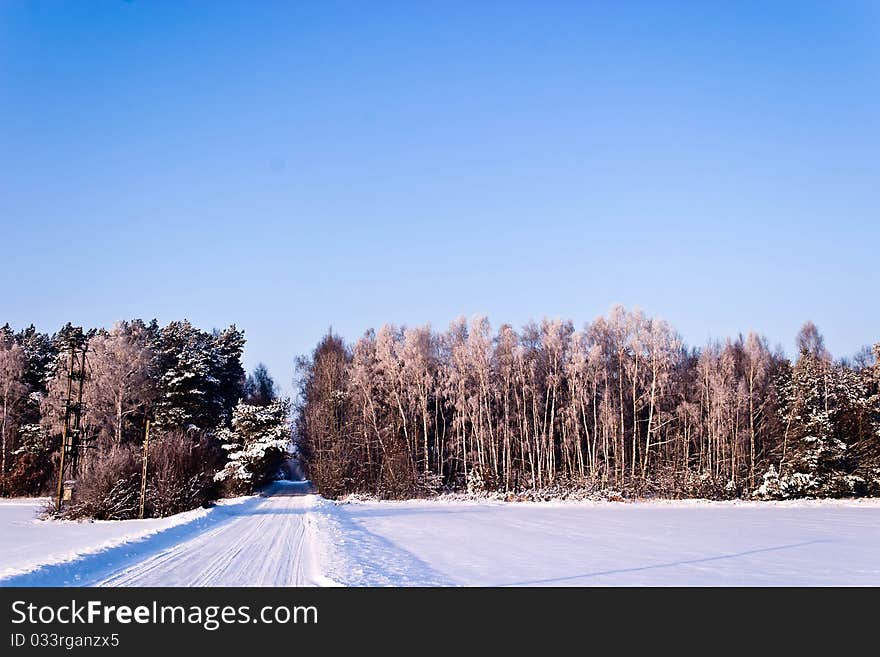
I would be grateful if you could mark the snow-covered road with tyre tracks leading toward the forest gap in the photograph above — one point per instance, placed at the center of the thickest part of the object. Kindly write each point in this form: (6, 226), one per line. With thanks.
(260, 541)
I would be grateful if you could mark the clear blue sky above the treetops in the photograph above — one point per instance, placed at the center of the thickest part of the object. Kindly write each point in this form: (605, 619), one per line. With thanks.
(291, 166)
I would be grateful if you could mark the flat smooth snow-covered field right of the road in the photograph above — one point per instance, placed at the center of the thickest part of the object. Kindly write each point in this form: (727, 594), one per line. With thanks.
(582, 544)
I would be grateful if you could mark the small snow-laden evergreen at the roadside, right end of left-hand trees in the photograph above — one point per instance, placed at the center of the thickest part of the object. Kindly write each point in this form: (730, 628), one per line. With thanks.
(257, 442)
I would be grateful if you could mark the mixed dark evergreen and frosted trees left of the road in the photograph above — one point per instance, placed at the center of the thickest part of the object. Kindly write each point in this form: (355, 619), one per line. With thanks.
(205, 414)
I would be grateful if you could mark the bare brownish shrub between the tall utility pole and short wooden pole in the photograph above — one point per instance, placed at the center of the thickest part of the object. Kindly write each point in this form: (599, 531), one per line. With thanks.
(108, 488)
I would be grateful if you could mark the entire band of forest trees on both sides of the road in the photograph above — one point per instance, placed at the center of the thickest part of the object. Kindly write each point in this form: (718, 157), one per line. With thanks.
(619, 407)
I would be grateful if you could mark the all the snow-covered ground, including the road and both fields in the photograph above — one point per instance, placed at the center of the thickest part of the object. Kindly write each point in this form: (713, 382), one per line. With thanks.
(290, 538)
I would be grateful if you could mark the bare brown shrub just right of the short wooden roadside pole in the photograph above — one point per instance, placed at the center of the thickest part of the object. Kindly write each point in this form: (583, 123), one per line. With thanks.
(180, 473)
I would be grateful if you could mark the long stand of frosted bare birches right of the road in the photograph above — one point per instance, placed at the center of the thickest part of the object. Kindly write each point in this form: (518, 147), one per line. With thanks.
(621, 406)
